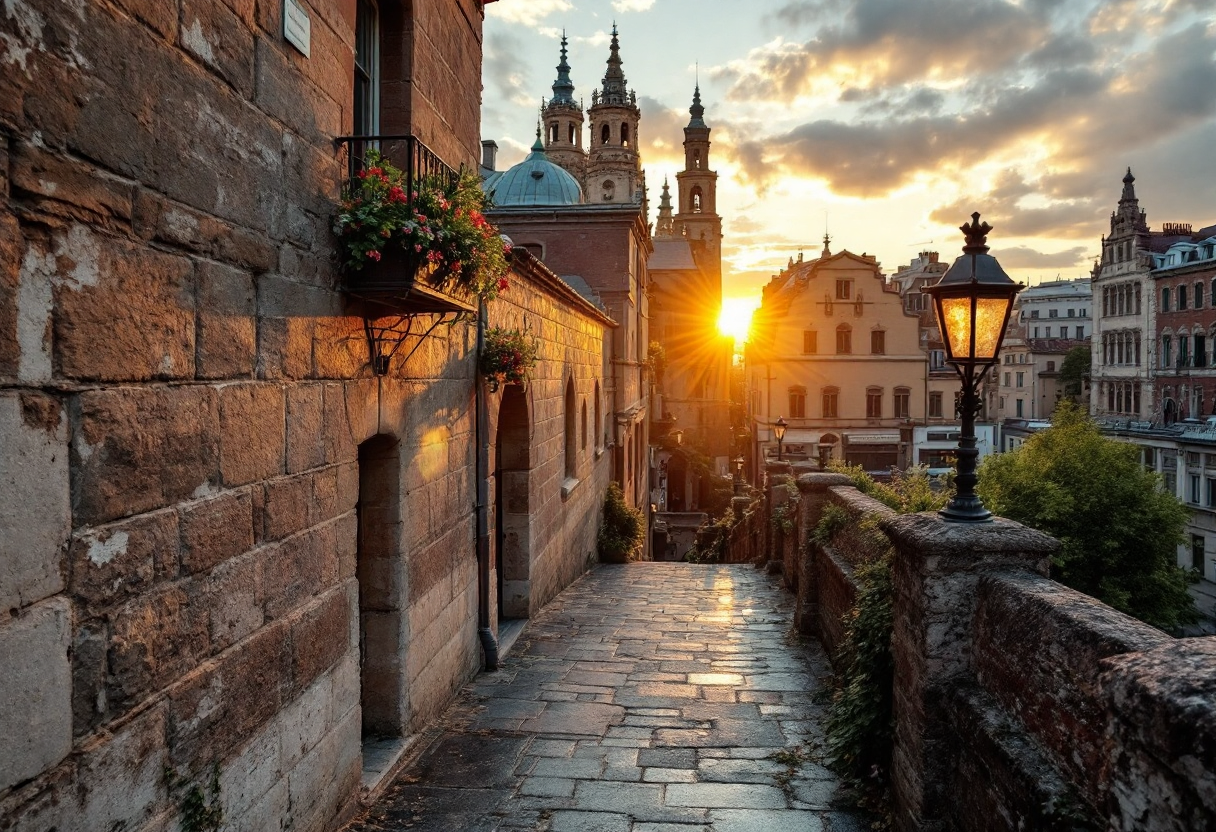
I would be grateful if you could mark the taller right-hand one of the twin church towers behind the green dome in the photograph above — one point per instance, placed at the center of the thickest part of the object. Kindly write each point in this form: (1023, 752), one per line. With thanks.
(613, 166)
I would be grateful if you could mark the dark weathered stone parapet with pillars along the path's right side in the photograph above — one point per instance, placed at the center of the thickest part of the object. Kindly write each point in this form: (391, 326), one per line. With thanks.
(1021, 704)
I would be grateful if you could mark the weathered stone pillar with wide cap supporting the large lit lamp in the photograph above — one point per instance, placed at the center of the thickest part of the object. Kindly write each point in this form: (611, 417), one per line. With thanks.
(937, 570)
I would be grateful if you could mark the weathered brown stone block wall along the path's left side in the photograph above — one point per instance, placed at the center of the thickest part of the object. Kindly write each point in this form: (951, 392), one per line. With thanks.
(189, 423)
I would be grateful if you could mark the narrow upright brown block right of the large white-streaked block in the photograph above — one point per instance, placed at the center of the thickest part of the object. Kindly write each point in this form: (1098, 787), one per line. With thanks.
(228, 338)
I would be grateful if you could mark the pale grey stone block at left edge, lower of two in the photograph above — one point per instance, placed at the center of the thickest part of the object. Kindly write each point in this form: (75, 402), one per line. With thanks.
(36, 722)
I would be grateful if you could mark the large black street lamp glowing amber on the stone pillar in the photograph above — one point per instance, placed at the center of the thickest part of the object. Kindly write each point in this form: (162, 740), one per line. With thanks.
(973, 301)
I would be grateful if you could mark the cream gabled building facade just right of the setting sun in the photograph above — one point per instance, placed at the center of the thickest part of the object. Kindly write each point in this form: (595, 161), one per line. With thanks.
(835, 352)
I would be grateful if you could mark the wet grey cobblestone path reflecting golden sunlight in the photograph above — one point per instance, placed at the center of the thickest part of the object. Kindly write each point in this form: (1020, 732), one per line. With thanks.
(651, 698)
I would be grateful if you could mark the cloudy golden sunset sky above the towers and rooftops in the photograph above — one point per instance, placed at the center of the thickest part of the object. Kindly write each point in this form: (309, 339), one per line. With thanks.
(891, 121)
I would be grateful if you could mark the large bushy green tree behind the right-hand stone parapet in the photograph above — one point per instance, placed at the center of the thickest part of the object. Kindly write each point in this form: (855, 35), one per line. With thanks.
(1119, 530)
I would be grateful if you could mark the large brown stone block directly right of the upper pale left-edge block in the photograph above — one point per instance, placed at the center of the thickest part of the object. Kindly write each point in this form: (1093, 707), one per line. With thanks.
(138, 449)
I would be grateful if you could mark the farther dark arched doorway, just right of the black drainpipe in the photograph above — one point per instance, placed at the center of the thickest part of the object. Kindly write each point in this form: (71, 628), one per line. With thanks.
(513, 533)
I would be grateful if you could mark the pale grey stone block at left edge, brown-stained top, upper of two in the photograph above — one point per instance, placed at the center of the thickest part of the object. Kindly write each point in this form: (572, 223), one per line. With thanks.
(36, 515)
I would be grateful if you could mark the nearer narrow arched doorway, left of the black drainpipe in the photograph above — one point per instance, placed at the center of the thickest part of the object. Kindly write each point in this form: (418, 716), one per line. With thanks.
(384, 595)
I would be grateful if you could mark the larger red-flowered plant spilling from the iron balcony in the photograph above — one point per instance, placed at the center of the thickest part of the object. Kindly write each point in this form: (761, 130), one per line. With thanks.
(436, 224)
